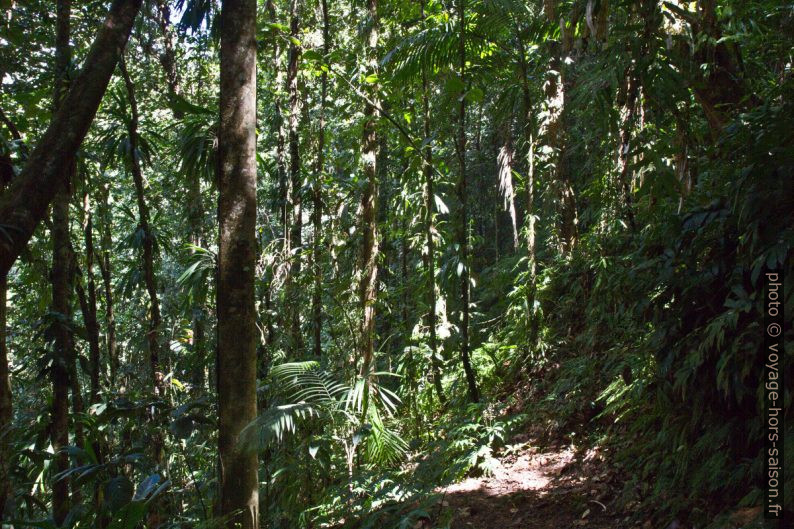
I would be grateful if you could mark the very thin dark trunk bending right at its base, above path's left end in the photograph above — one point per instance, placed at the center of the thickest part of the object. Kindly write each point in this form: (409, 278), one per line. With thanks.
(463, 221)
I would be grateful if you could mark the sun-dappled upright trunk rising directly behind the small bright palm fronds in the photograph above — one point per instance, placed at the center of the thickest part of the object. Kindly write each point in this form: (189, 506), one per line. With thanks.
(368, 285)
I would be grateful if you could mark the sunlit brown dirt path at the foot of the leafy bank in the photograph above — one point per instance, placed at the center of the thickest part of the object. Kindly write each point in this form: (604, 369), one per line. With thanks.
(555, 488)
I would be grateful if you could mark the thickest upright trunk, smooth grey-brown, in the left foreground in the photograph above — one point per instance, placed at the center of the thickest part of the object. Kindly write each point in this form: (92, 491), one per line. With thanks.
(237, 332)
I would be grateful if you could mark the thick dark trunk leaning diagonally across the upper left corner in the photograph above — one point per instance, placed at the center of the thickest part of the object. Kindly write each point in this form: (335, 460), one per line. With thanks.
(26, 202)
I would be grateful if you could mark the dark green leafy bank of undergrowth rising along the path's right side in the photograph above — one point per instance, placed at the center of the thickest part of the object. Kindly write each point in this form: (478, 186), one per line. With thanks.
(651, 347)
